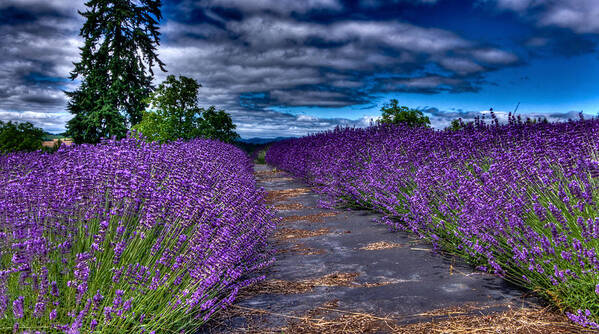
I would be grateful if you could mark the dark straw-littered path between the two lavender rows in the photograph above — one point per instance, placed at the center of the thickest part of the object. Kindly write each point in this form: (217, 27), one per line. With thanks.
(338, 272)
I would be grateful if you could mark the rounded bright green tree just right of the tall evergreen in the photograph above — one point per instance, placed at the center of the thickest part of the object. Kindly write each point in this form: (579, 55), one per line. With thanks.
(174, 114)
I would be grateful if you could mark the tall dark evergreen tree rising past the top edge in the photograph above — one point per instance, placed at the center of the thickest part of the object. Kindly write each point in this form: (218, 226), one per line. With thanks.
(121, 38)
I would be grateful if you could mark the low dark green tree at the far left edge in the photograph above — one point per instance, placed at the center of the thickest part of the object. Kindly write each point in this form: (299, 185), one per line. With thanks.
(20, 137)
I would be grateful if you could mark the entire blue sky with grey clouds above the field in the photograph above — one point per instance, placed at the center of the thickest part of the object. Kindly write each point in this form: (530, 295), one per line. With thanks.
(289, 67)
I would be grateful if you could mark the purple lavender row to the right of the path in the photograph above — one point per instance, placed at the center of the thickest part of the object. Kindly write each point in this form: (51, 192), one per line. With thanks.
(519, 200)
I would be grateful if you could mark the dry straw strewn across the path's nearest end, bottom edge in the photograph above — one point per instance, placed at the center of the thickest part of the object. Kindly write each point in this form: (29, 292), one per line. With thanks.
(328, 319)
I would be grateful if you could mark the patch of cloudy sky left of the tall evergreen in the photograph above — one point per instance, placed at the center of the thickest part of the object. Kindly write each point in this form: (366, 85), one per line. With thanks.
(39, 44)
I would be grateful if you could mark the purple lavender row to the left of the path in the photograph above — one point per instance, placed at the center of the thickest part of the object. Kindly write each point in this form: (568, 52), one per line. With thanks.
(127, 236)
